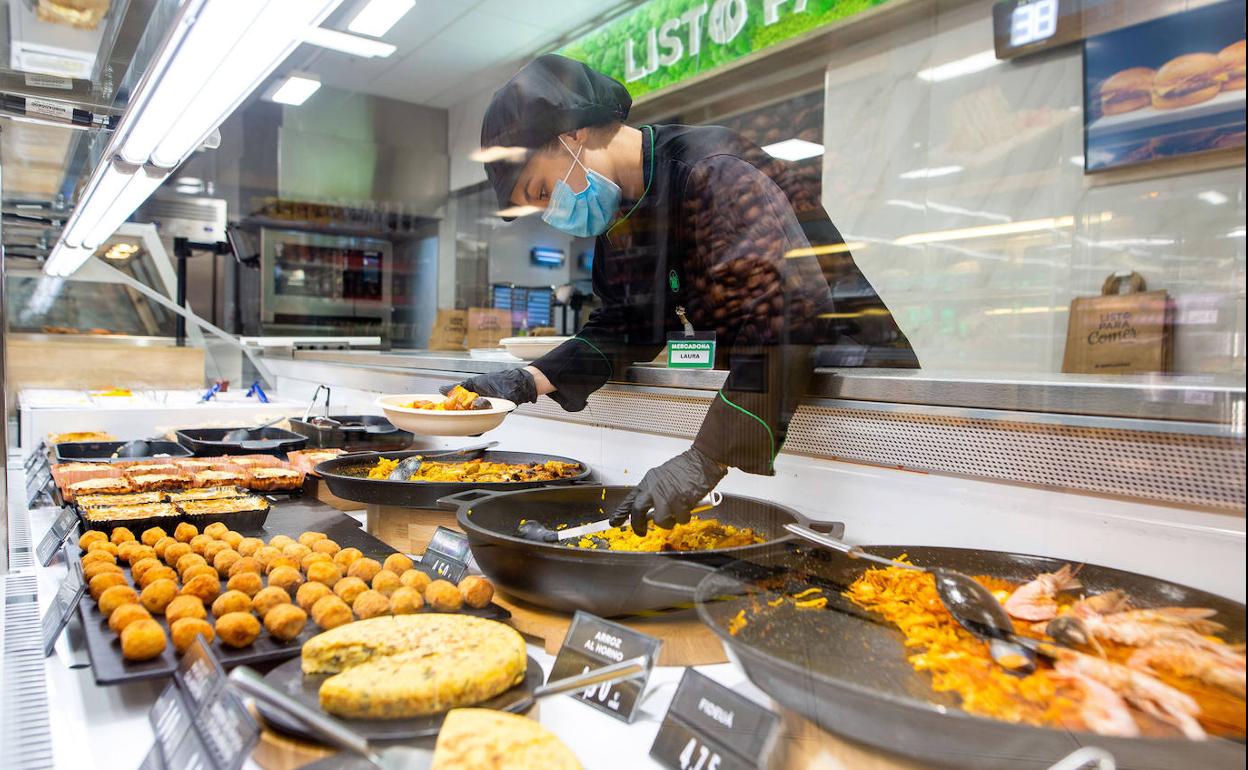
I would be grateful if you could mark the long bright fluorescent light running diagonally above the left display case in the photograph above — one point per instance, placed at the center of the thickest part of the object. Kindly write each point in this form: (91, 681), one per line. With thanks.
(213, 58)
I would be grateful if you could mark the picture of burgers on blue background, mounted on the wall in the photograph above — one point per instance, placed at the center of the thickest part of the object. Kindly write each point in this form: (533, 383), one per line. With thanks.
(1165, 89)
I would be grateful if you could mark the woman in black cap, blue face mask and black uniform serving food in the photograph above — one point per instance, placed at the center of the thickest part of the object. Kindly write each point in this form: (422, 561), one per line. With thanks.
(695, 234)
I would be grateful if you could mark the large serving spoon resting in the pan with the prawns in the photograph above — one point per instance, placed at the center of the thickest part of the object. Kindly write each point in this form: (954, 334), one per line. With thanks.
(969, 602)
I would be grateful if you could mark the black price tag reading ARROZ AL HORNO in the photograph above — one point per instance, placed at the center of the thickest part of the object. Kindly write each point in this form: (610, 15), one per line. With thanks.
(593, 643)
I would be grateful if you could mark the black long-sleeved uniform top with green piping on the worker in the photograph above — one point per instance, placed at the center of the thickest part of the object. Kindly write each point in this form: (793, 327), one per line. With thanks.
(716, 234)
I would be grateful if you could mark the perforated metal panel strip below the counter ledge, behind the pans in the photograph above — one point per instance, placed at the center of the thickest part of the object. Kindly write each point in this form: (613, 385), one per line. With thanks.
(1177, 469)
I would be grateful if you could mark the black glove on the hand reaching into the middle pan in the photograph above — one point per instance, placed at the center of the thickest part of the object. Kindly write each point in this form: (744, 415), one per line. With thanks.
(672, 490)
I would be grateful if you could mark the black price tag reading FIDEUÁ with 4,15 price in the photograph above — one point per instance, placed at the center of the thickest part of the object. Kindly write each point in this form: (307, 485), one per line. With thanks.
(712, 728)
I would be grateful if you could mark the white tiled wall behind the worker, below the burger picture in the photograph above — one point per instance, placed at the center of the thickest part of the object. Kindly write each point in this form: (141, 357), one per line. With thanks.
(1015, 130)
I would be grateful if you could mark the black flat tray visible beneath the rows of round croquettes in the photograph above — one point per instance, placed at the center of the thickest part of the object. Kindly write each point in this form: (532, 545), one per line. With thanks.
(104, 647)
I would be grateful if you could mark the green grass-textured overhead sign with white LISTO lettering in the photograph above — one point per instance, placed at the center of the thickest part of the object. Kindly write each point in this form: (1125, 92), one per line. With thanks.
(666, 42)
